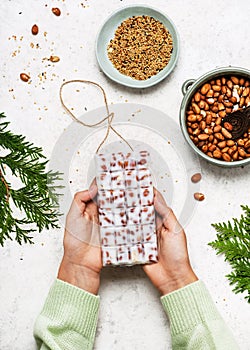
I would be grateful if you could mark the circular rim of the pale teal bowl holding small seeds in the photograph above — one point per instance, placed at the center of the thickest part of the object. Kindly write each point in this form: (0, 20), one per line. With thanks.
(147, 83)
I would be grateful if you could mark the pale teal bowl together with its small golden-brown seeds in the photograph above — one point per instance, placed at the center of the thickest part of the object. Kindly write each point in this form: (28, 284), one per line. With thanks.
(137, 46)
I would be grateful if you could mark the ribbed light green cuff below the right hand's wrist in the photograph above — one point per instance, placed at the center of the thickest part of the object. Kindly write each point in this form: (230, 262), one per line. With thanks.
(189, 306)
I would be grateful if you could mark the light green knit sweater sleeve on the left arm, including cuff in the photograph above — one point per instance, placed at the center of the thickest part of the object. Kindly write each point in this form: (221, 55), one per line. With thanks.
(68, 319)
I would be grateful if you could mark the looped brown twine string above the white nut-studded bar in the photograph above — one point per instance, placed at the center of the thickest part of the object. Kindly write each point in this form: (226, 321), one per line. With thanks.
(109, 118)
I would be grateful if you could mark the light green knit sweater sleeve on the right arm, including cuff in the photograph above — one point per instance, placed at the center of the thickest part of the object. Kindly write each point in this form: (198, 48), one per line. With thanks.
(194, 320)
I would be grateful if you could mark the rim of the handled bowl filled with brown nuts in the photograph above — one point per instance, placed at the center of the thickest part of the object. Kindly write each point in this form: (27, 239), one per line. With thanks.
(196, 83)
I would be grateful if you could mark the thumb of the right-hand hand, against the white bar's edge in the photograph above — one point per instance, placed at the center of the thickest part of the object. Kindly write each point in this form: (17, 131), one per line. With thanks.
(168, 217)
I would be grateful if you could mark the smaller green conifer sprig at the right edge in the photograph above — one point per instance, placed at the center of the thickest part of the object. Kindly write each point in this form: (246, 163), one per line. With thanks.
(233, 240)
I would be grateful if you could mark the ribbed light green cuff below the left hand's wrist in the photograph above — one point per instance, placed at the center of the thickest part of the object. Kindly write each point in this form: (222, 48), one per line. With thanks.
(75, 308)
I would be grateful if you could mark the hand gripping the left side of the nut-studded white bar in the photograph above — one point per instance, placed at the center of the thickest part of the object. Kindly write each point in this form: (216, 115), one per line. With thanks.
(81, 263)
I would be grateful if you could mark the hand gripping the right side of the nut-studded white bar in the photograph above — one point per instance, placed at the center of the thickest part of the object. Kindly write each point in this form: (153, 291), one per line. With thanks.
(173, 270)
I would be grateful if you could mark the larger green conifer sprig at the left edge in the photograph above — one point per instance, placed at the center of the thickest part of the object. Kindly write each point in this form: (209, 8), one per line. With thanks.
(36, 200)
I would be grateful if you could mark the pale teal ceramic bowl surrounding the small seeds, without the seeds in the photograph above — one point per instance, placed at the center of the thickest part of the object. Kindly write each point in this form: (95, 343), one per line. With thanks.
(107, 33)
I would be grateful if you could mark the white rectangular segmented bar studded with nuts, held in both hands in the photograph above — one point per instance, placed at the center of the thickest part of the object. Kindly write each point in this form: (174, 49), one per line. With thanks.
(126, 210)
